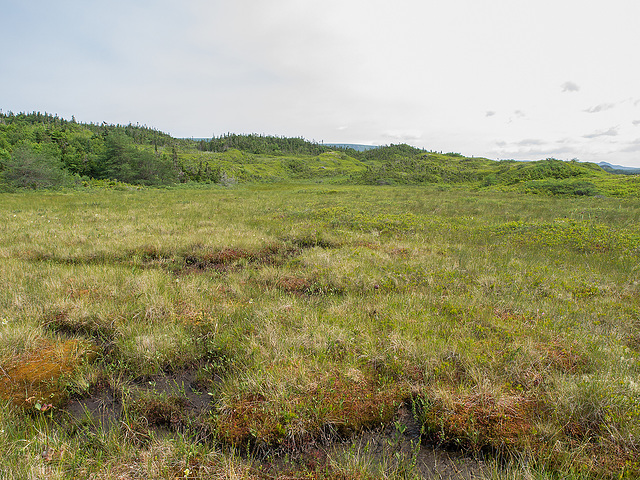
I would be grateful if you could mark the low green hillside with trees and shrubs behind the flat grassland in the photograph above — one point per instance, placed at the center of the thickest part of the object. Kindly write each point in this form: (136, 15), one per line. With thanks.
(46, 151)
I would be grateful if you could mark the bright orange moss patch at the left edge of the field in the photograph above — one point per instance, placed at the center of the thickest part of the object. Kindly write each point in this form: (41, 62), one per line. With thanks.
(35, 378)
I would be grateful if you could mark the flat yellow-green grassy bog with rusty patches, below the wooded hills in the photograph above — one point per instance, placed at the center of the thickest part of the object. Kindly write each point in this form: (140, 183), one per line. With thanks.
(237, 332)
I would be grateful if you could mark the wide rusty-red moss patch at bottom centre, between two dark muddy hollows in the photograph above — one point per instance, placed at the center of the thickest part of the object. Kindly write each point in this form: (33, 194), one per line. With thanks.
(337, 404)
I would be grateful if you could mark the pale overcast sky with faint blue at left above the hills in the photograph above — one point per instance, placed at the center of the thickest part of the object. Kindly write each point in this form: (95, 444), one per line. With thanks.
(502, 79)
